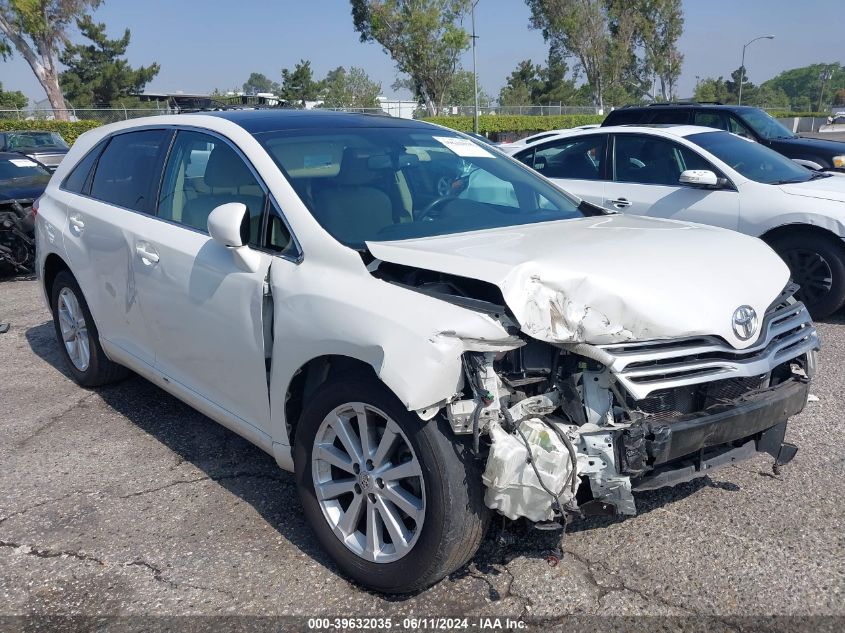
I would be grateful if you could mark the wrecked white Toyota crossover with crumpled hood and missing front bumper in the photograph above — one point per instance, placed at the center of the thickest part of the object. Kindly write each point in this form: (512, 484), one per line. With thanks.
(424, 330)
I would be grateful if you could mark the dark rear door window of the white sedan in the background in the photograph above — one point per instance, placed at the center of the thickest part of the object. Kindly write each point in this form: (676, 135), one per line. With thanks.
(578, 158)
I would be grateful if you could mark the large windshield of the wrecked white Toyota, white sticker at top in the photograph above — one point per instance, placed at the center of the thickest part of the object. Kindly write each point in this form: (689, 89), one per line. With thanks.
(377, 184)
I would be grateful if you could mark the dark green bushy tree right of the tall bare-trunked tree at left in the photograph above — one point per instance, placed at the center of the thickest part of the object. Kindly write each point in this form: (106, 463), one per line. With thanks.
(97, 73)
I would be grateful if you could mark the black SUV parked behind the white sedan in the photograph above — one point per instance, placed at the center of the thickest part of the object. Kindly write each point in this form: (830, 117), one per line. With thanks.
(752, 123)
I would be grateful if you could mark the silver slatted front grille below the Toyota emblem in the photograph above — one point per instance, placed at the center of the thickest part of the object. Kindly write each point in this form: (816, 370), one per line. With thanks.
(644, 368)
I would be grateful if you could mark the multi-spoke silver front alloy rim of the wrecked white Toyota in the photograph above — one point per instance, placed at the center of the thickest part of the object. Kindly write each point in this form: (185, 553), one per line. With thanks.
(368, 482)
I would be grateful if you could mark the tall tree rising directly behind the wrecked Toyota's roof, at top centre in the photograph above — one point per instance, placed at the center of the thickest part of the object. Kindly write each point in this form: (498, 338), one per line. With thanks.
(424, 38)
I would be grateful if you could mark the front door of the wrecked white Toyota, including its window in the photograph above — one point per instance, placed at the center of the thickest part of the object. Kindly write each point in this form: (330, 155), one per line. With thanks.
(205, 312)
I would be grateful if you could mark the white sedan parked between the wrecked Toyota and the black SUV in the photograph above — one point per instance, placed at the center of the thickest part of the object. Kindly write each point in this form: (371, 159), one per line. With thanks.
(713, 177)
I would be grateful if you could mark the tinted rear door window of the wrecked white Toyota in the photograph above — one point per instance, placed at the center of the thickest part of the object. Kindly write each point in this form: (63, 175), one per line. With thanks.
(128, 169)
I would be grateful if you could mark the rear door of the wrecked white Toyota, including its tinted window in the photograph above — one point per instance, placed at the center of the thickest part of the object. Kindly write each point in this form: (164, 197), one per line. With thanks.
(109, 199)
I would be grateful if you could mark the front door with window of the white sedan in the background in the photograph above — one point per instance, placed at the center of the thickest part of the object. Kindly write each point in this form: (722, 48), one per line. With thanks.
(645, 173)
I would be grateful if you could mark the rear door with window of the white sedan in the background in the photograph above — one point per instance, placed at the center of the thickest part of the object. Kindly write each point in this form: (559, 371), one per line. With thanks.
(576, 164)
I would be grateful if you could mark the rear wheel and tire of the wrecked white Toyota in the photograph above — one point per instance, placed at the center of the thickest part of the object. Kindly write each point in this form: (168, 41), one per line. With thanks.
(79, 341)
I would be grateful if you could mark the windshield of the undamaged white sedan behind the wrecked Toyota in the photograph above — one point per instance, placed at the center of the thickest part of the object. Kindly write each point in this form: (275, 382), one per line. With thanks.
(751, 159)
